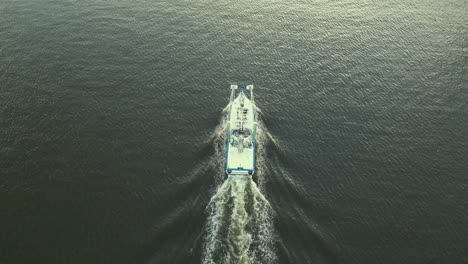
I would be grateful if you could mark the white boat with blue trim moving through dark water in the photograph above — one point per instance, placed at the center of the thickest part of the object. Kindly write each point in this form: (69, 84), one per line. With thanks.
(240, 138)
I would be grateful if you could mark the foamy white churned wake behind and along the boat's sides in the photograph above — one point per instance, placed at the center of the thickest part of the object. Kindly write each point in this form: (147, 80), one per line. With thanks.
(240, 220)
